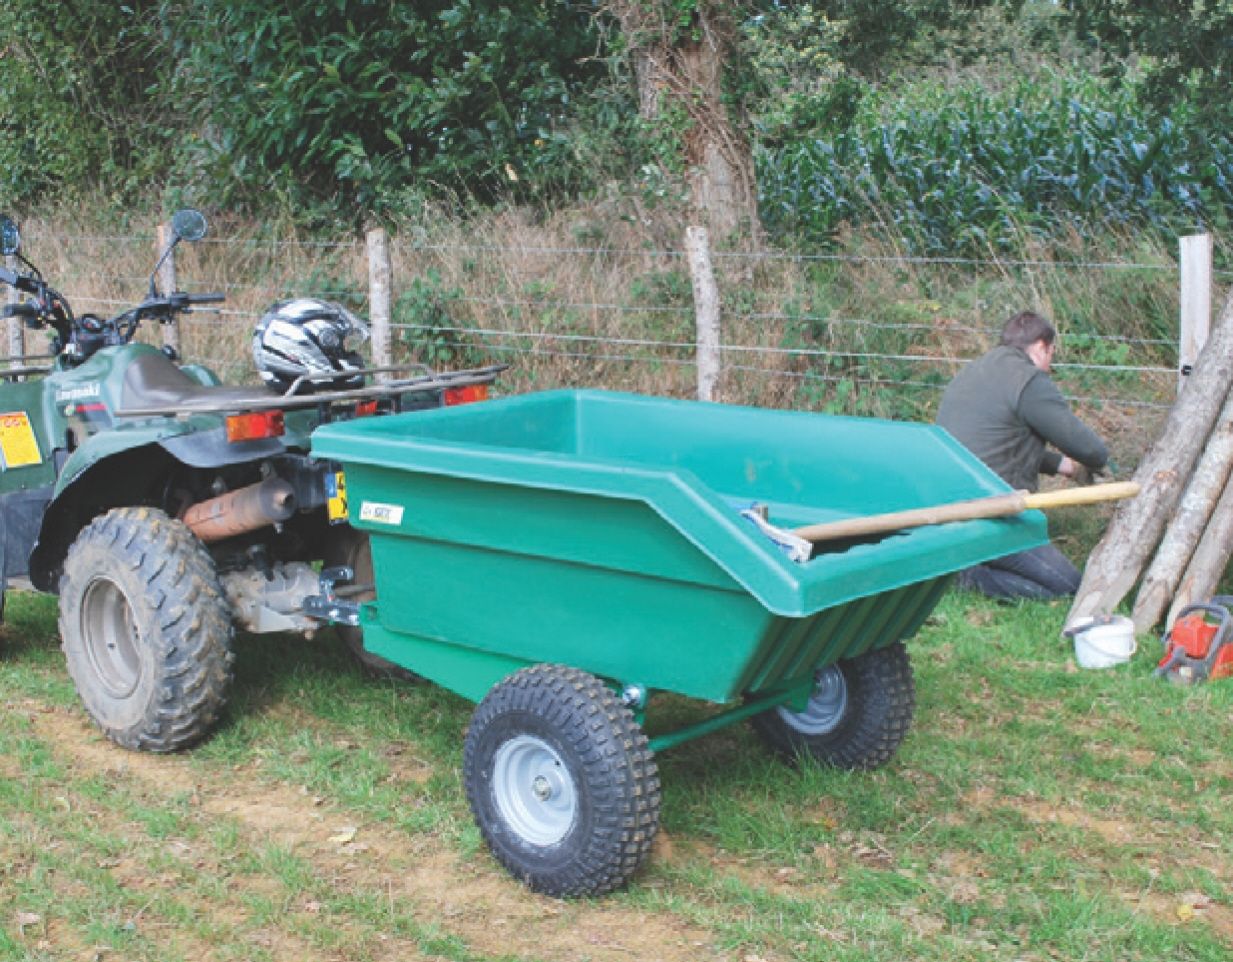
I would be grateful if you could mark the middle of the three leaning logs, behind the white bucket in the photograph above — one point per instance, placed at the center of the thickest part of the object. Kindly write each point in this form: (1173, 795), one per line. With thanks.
(1188, 525)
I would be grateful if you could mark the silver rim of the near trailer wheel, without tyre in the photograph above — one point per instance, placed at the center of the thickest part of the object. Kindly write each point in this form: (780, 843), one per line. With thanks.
(533, 790)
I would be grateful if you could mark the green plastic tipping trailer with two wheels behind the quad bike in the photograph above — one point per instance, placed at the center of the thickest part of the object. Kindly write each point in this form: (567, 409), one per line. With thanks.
(562, 558)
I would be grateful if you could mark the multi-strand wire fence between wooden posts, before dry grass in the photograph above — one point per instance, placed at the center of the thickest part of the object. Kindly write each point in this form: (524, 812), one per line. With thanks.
(796, 330)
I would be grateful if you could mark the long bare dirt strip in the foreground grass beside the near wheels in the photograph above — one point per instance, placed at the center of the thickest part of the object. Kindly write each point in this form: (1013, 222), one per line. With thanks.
(473, 901)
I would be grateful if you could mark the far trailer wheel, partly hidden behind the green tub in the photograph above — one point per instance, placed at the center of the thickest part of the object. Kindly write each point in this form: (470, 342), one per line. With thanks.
(858, 716)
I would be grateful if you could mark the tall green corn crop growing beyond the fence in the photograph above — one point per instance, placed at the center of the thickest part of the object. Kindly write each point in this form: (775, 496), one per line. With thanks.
(972, 170)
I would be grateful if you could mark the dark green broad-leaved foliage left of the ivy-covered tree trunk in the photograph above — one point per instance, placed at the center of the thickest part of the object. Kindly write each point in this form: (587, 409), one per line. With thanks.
(352, 101)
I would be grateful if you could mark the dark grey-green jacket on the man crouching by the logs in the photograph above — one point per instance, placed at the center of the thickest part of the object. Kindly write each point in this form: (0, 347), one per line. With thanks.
(1006, 410)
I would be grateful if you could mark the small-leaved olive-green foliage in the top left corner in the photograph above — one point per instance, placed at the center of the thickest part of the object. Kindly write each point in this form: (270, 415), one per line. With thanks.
(75, 98)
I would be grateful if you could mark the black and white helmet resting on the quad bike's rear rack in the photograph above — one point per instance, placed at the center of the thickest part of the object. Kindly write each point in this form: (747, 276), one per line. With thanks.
(310, 337)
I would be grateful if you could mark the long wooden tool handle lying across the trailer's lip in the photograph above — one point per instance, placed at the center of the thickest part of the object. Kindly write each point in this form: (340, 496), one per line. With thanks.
(998, 506)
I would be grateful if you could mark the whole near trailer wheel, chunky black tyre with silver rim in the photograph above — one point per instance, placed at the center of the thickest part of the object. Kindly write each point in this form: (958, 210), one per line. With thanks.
(562, 781)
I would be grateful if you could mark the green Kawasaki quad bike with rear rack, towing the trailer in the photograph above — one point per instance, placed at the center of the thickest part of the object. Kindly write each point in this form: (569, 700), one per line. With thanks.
(166, 510)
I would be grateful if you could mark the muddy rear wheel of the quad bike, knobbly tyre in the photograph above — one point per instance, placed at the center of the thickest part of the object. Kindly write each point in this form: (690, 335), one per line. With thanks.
(146, 630)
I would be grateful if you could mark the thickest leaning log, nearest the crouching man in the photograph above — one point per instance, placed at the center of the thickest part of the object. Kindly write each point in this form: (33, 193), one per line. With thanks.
(1133, 536)
